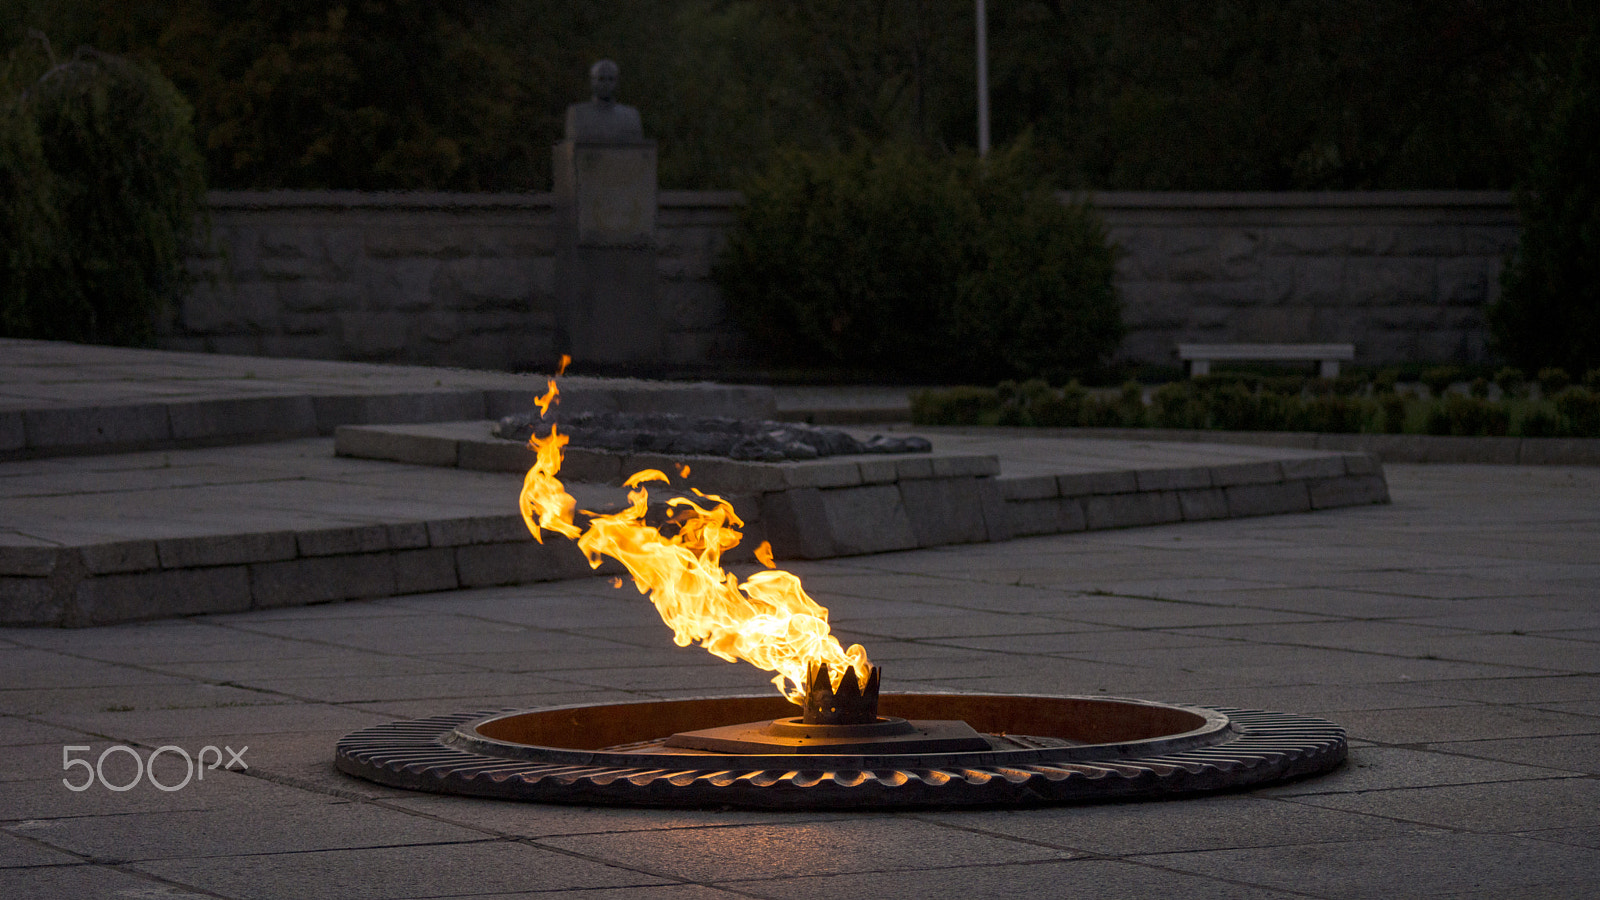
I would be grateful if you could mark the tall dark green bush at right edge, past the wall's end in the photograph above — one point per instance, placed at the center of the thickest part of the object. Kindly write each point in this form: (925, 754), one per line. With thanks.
(1550, 307)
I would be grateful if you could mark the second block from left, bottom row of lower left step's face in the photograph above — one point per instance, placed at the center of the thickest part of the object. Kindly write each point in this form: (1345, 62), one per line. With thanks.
(106, 600)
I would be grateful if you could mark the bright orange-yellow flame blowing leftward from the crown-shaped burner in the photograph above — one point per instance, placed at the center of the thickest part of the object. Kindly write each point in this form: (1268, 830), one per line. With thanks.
(767, 621)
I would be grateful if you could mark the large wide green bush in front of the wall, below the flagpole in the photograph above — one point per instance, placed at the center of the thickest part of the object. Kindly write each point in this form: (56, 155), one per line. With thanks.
(930, 268)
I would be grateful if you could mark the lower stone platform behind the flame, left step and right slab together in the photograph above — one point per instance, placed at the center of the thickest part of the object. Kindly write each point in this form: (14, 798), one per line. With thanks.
(92, 540)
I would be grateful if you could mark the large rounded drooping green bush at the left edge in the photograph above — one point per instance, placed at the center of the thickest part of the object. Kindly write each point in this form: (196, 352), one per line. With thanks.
(102, 187)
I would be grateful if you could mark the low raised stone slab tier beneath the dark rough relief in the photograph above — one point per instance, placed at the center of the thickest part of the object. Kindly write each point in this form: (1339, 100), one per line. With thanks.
(841, 507)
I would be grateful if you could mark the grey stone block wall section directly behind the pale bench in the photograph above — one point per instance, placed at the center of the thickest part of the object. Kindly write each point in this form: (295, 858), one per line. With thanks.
(1401, 275)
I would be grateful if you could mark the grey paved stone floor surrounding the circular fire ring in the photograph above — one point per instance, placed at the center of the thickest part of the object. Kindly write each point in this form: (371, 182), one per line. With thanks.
(1455, 633)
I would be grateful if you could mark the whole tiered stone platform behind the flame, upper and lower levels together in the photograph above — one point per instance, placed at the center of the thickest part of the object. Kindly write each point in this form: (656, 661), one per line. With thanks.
(142, 484)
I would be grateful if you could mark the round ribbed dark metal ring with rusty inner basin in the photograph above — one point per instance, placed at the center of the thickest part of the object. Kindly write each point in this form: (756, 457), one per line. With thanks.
(1055, 750)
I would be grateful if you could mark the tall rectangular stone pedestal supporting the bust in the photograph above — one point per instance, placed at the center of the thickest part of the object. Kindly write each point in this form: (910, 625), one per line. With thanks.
(606, 268)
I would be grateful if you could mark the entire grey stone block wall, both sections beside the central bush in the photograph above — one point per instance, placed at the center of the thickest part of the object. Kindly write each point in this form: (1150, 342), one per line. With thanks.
(466, 279)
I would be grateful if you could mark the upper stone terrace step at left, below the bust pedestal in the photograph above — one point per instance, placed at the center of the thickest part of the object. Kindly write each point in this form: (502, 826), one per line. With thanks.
(66, 400)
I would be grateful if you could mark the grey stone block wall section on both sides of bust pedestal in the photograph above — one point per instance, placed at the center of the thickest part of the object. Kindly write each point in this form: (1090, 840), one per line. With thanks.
(439, 279)
